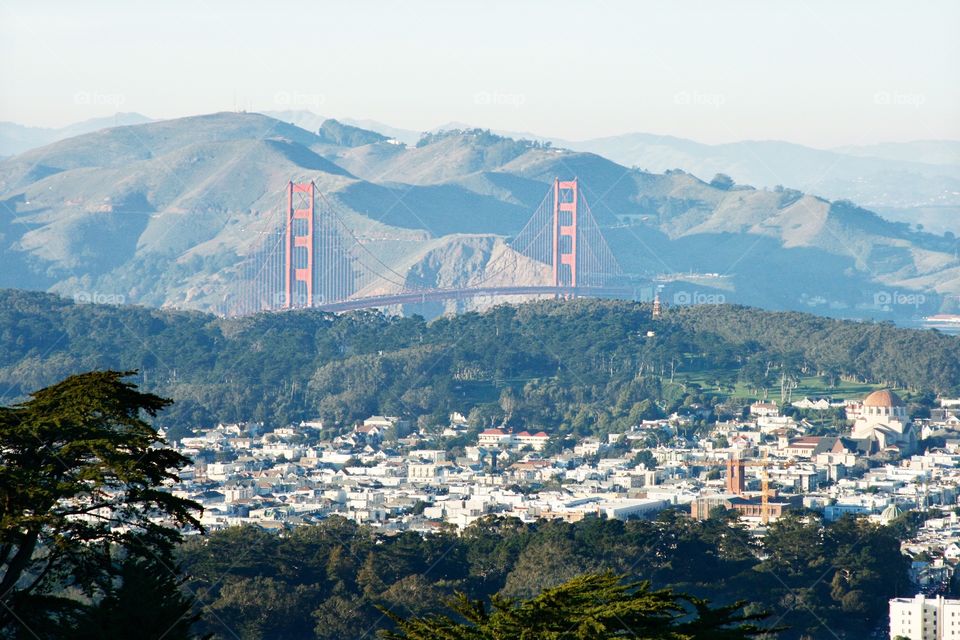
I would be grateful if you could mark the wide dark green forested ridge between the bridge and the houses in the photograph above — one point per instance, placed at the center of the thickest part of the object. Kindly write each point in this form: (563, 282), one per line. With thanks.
(581, 366)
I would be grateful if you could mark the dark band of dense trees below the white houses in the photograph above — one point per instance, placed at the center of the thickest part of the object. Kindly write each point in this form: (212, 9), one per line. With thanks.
(335, 578)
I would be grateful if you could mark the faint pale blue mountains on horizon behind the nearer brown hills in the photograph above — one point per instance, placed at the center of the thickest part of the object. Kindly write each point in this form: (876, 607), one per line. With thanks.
(915, 182)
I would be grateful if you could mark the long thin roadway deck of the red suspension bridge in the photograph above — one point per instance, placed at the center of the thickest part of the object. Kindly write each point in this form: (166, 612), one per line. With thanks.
(434, 295)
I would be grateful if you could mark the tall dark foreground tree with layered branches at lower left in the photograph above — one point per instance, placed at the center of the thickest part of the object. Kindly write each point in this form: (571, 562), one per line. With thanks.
(84, 510)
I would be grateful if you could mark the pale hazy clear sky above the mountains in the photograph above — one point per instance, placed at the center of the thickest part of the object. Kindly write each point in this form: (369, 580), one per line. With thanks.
(818, 73)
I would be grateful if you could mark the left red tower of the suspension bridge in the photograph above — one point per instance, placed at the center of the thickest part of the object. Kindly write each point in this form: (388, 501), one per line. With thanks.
(298, 275)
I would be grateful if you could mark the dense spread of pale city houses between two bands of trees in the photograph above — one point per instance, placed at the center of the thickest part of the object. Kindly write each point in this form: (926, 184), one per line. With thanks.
(386, 473)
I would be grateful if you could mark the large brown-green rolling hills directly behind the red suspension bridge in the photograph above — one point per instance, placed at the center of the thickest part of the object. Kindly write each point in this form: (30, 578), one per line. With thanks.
(162, 213)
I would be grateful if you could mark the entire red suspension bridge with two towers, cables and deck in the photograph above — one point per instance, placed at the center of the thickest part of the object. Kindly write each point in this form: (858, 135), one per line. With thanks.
(308, 257)
